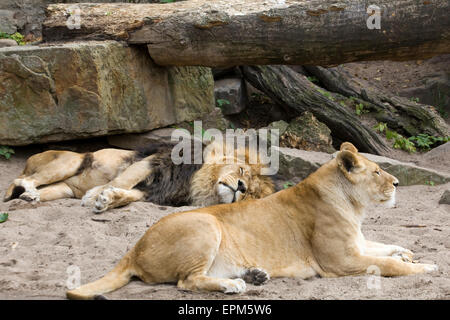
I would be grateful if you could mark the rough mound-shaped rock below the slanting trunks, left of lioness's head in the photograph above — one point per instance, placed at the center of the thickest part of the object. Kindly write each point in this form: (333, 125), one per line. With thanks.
(307, 133)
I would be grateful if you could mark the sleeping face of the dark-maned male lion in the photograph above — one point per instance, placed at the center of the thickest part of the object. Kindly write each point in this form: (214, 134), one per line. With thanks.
(233, 183)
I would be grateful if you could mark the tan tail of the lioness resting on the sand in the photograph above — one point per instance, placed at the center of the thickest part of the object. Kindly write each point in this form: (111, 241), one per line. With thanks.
(113, 280)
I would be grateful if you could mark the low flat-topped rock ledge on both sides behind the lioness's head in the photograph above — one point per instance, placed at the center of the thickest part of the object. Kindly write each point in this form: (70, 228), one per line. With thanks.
(300, 163)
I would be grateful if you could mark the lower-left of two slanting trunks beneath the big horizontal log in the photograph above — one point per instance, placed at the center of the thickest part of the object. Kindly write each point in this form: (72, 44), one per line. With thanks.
(289, 88)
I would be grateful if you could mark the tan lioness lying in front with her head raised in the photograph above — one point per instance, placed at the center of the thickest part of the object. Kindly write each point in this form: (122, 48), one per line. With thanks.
(313, 228)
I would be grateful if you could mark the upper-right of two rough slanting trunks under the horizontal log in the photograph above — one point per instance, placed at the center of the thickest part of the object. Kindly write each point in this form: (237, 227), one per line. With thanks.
(399, 113)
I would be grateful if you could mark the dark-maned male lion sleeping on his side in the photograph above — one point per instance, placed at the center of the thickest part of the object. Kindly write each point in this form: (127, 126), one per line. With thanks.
(110, 178)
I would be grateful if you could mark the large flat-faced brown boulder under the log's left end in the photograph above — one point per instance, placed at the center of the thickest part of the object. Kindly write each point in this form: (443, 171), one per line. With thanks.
(86, 89)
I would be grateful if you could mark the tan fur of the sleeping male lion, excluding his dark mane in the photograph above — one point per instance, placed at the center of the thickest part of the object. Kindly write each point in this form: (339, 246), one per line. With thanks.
(110, 179)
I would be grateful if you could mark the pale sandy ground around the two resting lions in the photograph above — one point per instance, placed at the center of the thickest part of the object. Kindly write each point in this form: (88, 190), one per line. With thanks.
(40, 242)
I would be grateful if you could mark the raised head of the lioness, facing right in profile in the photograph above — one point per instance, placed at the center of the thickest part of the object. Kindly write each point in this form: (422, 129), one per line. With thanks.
(371, 182)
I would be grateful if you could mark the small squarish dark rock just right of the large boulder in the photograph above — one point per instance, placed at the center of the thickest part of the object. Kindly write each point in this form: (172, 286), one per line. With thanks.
(231, 96)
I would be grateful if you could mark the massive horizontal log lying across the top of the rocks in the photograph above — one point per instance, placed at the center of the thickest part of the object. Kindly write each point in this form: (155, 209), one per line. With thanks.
(262, 32)
